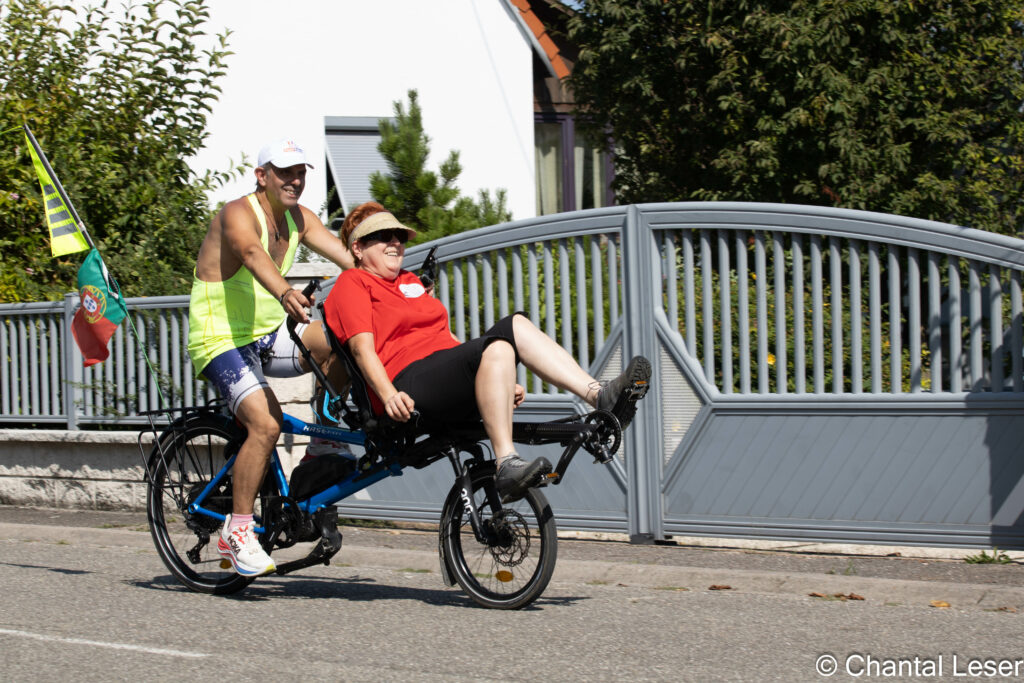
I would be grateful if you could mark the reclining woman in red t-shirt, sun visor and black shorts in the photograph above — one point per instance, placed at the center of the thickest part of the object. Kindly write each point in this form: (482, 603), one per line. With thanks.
(400, 337)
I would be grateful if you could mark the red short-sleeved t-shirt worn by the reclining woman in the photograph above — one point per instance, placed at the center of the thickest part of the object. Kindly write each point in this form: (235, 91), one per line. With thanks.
(407, 323)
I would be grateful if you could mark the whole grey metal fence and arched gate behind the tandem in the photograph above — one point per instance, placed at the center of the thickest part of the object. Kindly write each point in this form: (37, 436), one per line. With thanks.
(820, 373)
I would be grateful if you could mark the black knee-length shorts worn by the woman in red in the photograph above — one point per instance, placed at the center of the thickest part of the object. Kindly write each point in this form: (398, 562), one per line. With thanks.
(444, 385)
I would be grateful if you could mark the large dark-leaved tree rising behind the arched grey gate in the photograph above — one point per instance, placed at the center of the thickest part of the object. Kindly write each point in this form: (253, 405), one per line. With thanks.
(907, 108)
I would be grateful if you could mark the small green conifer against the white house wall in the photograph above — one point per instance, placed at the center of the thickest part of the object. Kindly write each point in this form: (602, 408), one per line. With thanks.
(421, 199)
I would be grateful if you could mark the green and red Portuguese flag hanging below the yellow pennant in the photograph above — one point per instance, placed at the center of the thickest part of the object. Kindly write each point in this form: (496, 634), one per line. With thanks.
(102, 311)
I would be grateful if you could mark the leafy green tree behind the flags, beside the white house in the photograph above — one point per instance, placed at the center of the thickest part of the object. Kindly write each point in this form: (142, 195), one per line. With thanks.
(118, 103)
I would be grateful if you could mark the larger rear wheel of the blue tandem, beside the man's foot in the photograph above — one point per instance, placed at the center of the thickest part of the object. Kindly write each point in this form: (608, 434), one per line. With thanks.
(193, 454)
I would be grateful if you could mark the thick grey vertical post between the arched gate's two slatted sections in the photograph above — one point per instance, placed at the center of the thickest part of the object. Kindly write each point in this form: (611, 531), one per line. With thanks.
(644, 440)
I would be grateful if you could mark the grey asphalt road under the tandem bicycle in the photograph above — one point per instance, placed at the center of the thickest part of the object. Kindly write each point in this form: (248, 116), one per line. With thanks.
(91, 603)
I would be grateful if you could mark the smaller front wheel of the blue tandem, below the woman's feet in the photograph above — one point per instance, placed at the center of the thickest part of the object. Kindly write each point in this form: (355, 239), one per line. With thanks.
(500, 576)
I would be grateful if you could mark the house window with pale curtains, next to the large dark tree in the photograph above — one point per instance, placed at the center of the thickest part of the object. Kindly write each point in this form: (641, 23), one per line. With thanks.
(572, 175)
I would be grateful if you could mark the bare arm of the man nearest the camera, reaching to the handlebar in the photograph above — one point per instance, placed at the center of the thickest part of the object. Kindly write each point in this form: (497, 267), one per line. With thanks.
(241, 235)
